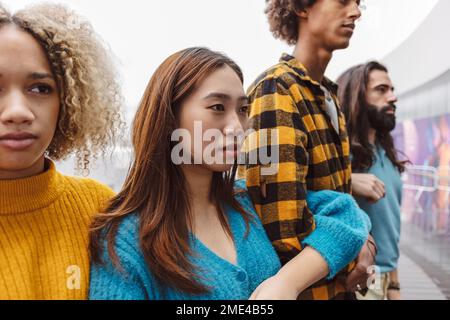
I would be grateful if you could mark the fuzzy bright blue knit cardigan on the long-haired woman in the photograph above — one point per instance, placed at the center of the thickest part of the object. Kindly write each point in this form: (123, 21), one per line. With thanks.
(341, 230)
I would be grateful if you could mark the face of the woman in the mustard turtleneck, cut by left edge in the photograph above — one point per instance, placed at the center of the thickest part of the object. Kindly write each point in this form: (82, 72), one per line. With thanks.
(29, 104)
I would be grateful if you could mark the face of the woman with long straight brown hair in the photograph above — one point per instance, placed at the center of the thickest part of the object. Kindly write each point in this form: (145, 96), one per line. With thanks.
(215, 115)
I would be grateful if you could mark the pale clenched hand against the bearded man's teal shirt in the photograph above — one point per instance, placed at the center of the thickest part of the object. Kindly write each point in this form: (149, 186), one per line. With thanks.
(368, 186)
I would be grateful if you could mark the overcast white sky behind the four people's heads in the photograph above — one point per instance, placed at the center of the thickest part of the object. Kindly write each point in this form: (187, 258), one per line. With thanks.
(143, 33)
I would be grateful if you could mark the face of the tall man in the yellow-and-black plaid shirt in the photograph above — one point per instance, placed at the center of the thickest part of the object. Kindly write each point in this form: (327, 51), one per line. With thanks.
(332, 22)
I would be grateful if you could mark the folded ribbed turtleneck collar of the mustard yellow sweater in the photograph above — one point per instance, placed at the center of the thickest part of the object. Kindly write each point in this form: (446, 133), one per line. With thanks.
(30, 194)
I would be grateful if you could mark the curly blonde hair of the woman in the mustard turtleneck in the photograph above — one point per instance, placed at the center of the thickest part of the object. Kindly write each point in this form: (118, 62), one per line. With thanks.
(90, 118)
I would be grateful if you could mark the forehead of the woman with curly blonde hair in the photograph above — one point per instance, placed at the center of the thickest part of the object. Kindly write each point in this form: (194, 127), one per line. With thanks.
(19, 51)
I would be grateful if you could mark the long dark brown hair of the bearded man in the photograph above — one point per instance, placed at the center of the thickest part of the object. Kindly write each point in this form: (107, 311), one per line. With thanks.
(352, 97)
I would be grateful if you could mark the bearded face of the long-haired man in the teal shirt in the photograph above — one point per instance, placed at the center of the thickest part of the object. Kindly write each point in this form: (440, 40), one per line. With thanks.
(381, 101)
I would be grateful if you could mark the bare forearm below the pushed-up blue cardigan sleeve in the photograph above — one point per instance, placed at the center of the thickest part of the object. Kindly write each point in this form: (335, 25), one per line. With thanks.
(307, 268)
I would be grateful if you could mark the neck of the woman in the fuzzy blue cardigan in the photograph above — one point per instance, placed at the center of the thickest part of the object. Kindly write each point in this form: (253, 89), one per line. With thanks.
(199, 182)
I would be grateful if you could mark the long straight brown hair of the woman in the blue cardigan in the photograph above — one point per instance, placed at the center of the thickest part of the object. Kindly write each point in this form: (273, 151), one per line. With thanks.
(155, 188)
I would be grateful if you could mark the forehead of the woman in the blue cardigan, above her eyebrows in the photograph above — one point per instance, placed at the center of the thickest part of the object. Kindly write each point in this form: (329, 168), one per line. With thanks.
(223, 80)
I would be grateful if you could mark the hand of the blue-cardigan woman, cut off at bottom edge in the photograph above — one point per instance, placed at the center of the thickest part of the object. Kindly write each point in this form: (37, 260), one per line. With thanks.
(275, 288)
